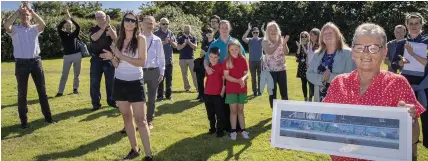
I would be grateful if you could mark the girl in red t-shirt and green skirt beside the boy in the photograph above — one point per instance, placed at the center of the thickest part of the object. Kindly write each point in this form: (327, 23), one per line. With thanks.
(236, 73)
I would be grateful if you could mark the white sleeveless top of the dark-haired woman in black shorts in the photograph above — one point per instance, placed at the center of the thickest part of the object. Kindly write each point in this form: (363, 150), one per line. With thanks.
(128, 72)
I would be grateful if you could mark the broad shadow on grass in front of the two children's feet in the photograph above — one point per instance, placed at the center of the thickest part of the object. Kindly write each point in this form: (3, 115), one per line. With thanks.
(203, 146)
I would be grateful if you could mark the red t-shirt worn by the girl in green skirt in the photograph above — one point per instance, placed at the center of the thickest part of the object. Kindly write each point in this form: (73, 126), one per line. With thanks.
(239, 67)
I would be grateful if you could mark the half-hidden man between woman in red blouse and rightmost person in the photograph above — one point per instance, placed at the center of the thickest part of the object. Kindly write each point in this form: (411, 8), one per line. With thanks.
(399, 33)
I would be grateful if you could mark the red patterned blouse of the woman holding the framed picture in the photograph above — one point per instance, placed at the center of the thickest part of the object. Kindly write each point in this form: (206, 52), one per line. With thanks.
(387, 89)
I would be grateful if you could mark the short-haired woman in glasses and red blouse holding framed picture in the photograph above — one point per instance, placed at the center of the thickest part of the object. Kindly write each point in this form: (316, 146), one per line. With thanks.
(368, 85)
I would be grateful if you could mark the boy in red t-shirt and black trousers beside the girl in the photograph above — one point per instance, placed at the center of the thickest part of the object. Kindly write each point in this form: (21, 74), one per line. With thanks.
(214, 92)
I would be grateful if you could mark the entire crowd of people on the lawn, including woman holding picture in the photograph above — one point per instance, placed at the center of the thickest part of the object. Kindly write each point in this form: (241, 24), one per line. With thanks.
(137, 54)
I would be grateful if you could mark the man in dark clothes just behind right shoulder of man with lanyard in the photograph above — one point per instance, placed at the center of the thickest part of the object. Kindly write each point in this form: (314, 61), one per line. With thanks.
(169, 42)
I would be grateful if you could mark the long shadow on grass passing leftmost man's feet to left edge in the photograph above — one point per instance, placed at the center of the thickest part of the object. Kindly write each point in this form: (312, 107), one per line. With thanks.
(40, 123)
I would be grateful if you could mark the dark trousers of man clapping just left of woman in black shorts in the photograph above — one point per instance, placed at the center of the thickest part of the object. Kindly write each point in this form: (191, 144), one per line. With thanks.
(98, 67)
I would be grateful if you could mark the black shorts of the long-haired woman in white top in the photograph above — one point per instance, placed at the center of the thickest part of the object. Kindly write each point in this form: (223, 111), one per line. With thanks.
(131, 91)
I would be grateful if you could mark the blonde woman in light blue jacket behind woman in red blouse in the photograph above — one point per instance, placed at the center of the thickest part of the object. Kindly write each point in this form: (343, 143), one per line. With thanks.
(331, 59)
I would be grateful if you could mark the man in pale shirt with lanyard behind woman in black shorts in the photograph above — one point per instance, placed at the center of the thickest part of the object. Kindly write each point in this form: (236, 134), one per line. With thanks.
(155, 66)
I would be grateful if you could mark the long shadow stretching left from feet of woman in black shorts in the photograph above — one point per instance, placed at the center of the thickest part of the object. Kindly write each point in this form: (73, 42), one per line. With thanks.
(83, 149)
